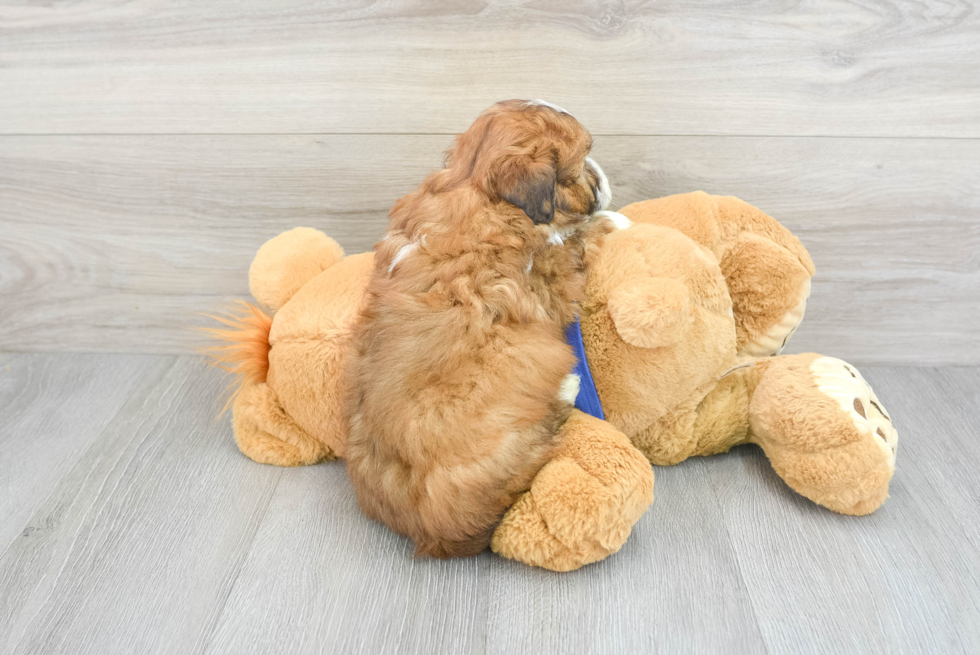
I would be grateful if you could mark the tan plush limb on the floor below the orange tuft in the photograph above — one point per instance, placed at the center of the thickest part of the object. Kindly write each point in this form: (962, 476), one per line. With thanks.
(266, 434)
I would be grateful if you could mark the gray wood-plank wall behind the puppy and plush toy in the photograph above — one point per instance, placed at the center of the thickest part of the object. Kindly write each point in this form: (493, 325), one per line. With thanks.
(147, 148)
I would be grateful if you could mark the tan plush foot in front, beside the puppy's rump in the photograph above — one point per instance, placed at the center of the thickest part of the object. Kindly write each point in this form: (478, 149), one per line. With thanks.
(582, 505)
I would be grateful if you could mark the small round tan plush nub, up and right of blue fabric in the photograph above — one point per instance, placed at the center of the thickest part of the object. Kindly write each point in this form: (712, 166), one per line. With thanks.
(651, 312)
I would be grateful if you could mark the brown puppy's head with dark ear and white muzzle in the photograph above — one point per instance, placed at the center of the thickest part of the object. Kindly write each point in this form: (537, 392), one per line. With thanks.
(533, 155)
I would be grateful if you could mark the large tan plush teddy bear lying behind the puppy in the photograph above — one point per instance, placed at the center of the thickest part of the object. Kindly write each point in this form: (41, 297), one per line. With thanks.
(684, 312)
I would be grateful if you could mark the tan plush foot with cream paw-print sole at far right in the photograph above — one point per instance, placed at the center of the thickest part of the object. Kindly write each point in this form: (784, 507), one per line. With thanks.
(825, 432)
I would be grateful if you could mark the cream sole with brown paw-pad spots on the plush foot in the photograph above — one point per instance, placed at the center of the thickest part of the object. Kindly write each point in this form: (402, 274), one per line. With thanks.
(845, 384)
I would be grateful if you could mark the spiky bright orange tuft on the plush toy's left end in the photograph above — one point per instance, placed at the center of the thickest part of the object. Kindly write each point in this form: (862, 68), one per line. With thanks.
(246, 354)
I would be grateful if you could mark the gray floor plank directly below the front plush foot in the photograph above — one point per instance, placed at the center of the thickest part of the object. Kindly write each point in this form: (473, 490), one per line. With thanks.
(674, 587)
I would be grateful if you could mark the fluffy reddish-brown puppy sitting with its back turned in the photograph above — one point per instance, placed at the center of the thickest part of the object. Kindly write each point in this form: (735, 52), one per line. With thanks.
(458, 382)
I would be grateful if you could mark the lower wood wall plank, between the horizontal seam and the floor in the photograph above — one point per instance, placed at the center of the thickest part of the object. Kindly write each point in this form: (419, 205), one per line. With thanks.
(112, 243)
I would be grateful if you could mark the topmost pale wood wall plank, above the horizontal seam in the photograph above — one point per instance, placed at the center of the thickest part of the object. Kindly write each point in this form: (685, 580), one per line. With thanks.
(850, 68)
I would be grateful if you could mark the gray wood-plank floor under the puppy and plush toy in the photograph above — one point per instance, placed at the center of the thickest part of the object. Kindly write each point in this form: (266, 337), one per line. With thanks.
(132, 524)
